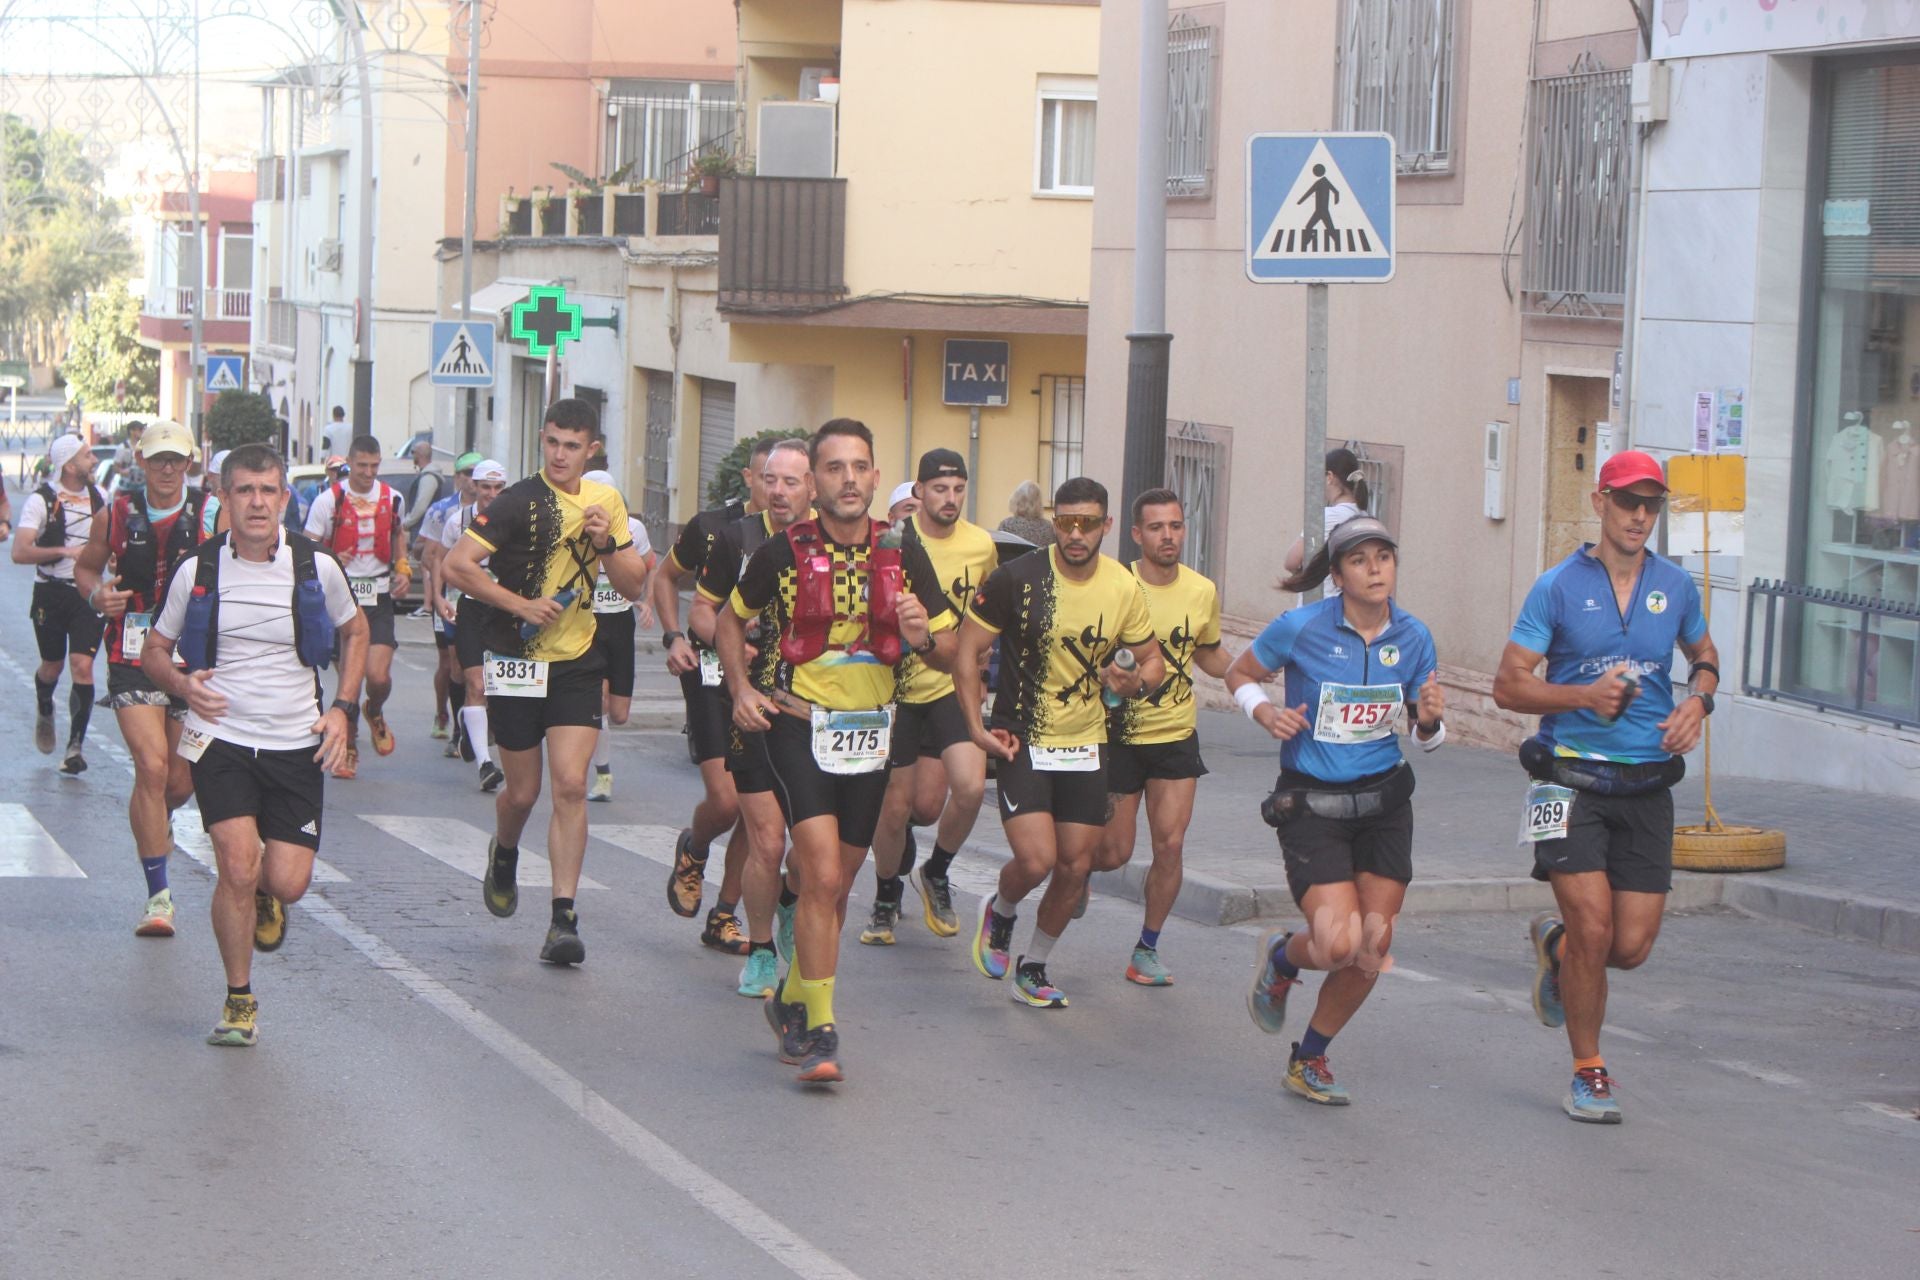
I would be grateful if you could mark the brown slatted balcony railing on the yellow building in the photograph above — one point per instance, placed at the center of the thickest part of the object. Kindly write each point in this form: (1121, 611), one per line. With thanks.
(782, 243)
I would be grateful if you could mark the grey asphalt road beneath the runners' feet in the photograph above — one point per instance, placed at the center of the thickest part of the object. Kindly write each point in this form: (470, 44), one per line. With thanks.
(429, 1101)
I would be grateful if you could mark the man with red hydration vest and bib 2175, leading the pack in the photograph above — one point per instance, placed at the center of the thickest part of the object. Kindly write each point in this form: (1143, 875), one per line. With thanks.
(850, 602)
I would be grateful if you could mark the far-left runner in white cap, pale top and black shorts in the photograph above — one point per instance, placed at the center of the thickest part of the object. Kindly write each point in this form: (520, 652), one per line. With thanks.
(55, 525)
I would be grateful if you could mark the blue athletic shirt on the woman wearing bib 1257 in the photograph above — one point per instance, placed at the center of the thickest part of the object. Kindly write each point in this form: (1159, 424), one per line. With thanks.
(1318, 646)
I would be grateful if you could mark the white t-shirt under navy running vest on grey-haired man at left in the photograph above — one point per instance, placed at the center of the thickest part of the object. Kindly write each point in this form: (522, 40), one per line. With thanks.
(272, 699)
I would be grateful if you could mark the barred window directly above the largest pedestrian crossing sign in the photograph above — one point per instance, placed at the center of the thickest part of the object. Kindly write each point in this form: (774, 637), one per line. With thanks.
(1397, 78)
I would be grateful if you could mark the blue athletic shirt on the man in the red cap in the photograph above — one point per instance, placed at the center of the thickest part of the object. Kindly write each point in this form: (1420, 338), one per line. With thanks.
(1575, 621)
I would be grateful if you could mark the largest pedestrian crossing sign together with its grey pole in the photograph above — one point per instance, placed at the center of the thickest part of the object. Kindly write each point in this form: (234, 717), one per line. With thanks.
(1320, 210)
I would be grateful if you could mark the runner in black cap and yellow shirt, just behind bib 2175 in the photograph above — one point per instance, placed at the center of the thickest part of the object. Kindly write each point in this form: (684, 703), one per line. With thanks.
(934, 757)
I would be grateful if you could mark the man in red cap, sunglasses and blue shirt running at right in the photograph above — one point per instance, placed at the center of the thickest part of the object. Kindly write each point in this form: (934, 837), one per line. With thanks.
(1610, 749)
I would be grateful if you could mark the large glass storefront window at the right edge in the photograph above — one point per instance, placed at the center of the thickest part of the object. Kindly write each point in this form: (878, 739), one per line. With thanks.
(1863, 517)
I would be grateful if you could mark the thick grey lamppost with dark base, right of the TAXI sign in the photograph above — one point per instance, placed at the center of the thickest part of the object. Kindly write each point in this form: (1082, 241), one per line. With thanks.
(1149, 346)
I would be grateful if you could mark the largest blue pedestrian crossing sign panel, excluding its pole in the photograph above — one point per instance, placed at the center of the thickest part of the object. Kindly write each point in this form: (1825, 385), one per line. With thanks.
(1320, 208)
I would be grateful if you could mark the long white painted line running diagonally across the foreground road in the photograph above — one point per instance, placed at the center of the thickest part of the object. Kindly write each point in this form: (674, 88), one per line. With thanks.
(640, 1143)
